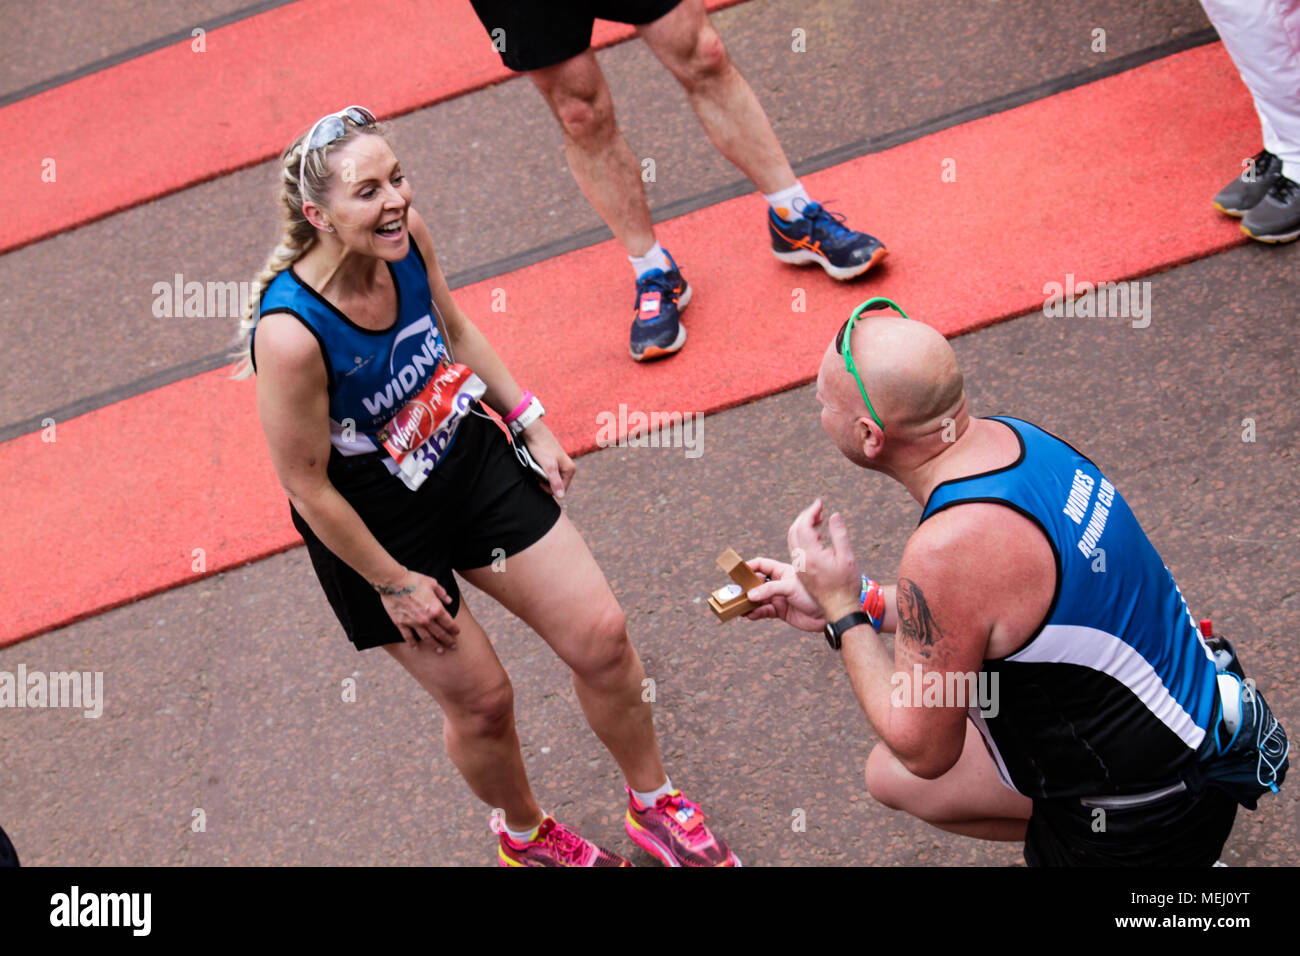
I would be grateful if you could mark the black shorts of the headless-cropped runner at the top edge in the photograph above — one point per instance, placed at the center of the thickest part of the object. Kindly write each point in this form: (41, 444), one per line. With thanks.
(536, 34)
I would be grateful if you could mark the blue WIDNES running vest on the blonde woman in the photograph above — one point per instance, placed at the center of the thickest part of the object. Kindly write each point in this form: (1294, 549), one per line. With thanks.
(371, 374)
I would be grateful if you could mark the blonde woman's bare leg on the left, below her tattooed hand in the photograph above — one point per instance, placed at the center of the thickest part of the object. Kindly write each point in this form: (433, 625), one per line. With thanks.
(479, 708)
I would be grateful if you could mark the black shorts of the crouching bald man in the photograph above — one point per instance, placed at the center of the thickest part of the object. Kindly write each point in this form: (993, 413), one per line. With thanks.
(1185, 830)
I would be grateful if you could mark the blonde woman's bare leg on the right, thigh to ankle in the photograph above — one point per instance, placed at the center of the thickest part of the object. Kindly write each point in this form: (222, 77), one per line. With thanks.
(560, 591)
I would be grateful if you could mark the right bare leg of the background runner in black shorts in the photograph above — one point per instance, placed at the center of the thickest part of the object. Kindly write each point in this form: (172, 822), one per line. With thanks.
(687, 44)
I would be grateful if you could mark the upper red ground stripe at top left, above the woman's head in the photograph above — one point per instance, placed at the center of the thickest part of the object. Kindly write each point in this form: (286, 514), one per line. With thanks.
(176, 118)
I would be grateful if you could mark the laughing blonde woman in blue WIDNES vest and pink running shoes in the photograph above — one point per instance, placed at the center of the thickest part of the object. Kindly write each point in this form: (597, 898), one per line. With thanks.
(396, 478)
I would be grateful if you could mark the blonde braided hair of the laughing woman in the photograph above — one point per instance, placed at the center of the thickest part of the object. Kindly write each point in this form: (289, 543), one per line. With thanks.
(297, 233)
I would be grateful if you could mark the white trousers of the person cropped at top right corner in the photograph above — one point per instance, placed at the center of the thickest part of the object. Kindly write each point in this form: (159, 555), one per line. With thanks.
(1263, 37)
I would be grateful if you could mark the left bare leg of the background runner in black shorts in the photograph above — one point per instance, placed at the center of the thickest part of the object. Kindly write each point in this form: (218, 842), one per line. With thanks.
(599, 155)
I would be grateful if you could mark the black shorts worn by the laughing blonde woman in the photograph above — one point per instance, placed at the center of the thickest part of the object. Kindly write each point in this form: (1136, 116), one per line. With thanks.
(479, 505)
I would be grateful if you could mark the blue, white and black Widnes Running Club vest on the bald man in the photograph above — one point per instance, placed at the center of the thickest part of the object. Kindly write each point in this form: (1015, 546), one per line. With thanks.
(1116, 691)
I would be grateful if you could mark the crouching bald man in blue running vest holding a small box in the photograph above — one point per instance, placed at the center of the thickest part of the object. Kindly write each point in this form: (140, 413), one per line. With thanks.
(1030, 697)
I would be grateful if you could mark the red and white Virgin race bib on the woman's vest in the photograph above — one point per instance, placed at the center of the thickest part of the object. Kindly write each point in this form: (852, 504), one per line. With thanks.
(419, 435)
